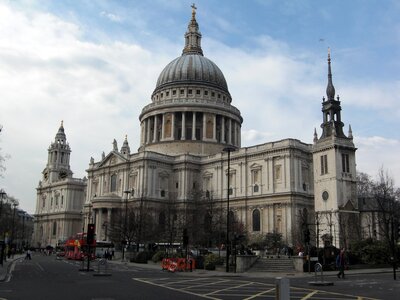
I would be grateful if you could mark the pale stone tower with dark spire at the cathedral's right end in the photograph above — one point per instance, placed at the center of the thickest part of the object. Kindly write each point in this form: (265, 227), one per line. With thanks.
(334, 164)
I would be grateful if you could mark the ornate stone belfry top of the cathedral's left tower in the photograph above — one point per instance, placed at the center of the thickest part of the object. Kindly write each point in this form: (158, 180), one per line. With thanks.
(57, 167)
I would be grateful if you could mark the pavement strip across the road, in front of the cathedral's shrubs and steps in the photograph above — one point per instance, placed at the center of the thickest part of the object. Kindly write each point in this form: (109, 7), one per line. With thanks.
(220, 273)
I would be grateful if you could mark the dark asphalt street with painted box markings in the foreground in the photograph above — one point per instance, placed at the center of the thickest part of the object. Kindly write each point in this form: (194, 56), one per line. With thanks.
(44, 277)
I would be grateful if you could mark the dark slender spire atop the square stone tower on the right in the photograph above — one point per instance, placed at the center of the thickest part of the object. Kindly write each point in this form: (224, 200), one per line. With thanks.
(332, 125)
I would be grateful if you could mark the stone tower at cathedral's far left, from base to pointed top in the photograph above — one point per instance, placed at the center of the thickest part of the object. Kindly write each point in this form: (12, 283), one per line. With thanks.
(60, 197)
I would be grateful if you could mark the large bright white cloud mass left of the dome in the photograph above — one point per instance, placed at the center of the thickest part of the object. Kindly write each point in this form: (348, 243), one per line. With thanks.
(48, 74)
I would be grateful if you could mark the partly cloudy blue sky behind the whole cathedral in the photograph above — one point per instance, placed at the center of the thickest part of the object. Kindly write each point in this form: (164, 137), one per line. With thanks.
(94, 64)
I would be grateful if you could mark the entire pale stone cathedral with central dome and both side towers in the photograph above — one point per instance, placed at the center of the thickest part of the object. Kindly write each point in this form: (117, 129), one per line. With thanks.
(190, 170)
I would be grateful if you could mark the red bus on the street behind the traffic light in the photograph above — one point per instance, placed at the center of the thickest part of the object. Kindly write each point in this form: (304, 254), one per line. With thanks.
(76, 247)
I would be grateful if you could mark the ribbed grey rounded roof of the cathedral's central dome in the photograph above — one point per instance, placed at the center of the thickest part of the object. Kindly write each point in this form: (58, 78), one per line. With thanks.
(192, 68)
